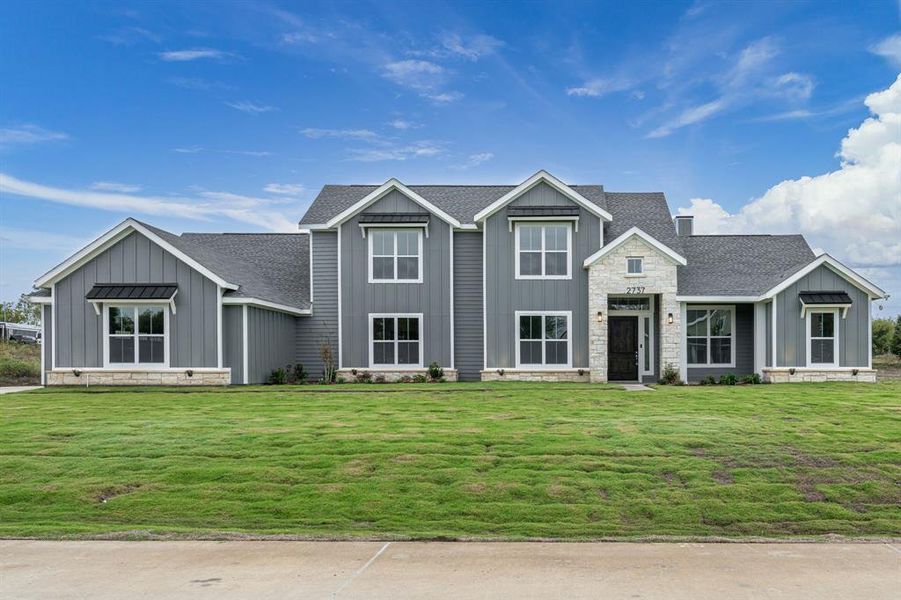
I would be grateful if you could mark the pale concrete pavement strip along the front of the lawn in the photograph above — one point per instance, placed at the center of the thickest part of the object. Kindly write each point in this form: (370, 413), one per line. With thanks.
(259, 570)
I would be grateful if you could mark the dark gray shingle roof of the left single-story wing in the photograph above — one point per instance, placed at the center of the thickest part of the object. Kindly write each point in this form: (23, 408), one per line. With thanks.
(268, 266)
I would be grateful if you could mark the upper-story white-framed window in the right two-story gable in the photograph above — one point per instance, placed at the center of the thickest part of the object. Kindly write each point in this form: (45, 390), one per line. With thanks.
(543, 251)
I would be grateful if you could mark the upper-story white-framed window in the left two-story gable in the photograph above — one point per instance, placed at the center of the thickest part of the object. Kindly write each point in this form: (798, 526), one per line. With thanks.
(395, 256)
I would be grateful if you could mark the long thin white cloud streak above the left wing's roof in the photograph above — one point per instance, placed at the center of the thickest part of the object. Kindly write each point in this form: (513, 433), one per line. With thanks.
(208, 204)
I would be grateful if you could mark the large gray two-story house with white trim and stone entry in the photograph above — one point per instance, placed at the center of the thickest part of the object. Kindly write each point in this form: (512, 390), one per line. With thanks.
(537, 281)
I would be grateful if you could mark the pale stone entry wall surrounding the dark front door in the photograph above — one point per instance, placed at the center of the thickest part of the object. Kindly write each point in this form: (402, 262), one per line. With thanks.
(607, 277)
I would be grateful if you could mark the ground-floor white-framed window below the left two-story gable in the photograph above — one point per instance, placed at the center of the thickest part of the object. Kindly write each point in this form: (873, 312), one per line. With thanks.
(395, 341)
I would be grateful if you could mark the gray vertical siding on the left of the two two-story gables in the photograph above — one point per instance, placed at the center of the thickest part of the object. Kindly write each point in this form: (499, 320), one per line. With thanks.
(359, 298)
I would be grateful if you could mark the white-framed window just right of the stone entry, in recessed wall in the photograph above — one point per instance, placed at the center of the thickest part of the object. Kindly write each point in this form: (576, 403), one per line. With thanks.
(710, 333)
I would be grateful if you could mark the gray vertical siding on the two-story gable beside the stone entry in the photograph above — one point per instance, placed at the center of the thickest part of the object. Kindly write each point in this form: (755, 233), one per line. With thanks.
(506, 294)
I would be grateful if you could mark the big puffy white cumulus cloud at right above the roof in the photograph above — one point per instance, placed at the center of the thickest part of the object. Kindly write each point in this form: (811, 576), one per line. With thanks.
(854, 212)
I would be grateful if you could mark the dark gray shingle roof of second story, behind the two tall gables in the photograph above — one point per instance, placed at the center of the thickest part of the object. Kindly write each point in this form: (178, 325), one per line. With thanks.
(459, 201)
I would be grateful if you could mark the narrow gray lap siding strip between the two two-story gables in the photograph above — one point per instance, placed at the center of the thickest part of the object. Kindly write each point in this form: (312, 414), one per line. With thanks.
(468, 340)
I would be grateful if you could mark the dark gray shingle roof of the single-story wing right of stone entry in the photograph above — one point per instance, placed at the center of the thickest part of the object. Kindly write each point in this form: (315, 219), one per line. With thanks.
(739, 265)
